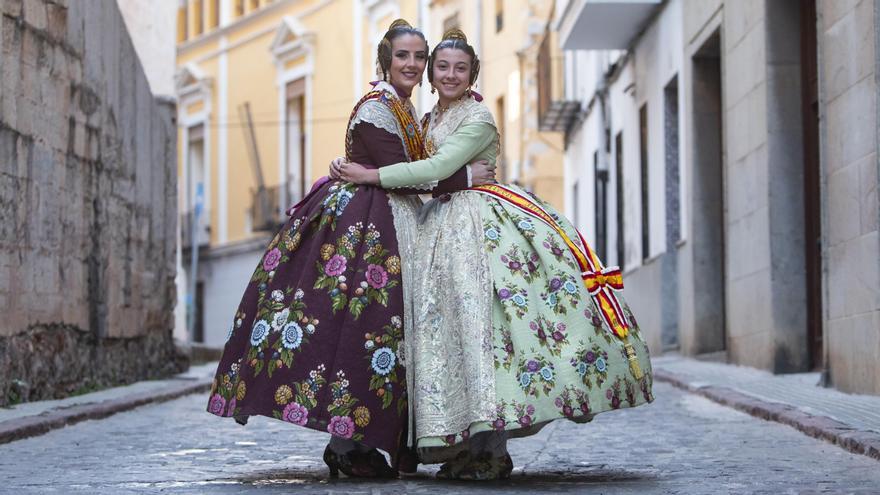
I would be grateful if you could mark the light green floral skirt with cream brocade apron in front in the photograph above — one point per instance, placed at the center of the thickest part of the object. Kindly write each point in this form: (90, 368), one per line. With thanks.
(505, 335)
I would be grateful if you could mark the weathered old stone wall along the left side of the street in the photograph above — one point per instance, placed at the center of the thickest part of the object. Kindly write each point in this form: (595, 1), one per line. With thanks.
(87, 204)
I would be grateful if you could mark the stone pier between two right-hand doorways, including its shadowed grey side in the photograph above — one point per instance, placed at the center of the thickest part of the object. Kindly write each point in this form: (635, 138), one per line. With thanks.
(763, 181)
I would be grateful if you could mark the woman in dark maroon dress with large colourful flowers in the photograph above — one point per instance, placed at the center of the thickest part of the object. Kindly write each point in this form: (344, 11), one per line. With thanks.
(317, 340)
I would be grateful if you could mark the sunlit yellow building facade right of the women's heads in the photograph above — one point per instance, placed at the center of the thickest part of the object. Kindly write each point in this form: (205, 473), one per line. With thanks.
(507, 35)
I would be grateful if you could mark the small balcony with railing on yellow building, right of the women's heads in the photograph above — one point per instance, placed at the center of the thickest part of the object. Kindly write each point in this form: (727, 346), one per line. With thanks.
(554, 112)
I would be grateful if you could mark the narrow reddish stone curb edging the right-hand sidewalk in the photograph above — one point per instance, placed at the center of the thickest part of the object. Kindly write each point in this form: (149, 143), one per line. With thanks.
(833, 431)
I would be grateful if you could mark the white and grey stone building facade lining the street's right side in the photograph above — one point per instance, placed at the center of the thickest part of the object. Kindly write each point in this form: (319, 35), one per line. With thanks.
(724, 154)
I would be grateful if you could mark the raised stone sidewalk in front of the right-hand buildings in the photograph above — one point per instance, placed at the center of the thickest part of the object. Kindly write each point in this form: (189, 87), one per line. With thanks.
(851, 421)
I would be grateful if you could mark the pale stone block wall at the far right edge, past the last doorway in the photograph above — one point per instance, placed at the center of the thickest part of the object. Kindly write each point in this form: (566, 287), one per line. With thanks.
(848, 83)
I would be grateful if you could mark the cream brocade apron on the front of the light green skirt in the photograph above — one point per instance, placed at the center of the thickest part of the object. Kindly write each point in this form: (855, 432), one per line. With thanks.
(451, 345)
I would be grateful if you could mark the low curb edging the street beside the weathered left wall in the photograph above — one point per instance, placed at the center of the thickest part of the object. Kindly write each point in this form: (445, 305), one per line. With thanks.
(19, 428)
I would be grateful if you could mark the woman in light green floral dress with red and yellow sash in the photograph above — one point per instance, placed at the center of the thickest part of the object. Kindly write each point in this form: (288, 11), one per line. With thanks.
(516, 321)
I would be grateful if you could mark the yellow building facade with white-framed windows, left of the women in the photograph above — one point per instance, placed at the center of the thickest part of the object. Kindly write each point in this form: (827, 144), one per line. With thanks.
(264, 89)
